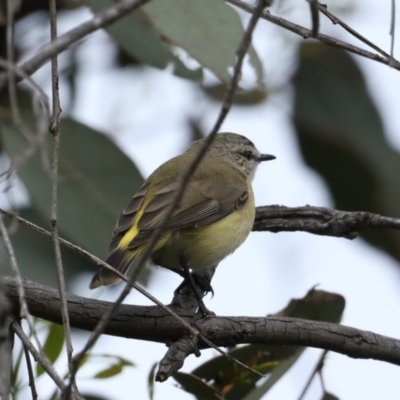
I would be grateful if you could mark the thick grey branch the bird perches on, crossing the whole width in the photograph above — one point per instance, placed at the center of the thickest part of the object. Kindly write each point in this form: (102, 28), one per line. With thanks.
(153, 324)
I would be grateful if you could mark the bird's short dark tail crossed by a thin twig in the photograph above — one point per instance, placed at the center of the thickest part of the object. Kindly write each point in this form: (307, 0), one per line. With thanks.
(119, 259)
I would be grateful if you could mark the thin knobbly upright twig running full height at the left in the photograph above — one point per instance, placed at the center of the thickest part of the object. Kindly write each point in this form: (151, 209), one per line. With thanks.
(55, 130)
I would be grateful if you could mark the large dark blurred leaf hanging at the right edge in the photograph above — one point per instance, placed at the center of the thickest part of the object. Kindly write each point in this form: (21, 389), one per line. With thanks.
(342, 137)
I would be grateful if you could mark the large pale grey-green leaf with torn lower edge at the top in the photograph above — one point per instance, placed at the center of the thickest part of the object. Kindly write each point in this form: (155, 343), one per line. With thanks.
(150, 34)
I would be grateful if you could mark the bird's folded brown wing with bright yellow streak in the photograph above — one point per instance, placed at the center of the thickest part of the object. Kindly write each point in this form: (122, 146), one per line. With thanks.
(204, 203)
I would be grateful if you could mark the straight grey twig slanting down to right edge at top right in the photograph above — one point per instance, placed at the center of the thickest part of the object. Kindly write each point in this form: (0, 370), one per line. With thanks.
(306, 33)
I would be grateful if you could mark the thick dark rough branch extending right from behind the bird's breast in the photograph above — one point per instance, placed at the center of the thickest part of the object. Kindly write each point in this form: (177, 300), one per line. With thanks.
(320, 221)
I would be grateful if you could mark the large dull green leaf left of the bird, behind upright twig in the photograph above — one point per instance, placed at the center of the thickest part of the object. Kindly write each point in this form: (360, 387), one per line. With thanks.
(96, 181)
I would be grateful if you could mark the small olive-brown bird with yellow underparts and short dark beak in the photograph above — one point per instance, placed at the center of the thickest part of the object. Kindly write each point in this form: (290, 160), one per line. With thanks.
(213, 219)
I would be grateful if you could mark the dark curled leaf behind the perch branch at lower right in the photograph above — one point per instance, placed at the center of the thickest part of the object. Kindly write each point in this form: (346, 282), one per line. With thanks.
(220, 377)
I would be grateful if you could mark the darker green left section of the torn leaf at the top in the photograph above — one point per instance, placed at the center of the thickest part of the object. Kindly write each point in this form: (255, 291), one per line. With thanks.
(138, 38)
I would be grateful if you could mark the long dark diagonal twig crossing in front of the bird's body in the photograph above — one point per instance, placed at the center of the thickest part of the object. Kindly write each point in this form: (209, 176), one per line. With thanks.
(242, 50)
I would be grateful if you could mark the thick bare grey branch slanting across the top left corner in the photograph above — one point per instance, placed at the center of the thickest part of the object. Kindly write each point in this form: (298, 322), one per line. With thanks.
(100, 20)
